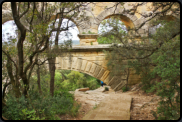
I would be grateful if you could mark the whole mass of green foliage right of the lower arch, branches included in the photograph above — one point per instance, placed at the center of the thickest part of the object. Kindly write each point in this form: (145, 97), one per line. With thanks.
(158, 63)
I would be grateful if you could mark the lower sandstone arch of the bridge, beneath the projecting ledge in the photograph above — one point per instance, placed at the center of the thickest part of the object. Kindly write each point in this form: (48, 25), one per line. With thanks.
(93, 64)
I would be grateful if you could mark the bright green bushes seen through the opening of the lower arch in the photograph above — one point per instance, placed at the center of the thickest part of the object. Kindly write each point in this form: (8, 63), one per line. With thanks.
(72, 80)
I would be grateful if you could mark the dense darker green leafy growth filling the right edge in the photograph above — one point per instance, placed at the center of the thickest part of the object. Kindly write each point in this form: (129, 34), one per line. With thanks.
(167, 61)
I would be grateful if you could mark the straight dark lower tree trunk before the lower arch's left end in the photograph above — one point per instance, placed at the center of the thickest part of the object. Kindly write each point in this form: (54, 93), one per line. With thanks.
(52, 73)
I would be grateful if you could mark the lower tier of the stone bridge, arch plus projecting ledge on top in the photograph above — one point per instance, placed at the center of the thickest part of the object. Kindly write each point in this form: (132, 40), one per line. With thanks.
(91, 60)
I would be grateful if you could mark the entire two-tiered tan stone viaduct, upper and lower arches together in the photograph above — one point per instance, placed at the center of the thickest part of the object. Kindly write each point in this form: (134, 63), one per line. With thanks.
(89, 58)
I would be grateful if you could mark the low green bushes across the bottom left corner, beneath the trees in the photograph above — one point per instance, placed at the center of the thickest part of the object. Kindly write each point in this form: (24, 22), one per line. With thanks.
(39, 107)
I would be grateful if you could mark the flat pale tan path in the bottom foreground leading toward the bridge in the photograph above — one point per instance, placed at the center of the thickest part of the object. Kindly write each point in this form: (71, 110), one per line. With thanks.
(113, 107)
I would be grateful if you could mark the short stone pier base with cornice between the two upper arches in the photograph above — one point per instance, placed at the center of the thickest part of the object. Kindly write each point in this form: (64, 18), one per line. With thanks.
(88, 39)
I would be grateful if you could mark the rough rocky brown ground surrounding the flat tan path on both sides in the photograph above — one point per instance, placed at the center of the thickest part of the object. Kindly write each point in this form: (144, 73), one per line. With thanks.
(141, 105)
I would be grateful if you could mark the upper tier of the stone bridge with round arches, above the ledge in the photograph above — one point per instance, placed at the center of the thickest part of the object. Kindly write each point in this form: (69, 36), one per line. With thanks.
(95, 13)
